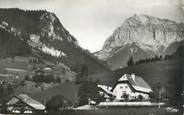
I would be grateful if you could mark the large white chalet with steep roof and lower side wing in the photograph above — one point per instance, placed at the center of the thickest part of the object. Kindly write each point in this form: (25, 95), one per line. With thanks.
(128, 88)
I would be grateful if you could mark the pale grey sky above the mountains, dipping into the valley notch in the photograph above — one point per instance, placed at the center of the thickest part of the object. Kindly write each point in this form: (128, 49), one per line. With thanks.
(91, 22)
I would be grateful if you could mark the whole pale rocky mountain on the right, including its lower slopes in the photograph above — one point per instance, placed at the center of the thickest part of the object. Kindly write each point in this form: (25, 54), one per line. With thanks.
(141, 32)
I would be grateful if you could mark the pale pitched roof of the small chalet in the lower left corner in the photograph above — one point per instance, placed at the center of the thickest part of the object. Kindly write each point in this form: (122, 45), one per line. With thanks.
(28, 100)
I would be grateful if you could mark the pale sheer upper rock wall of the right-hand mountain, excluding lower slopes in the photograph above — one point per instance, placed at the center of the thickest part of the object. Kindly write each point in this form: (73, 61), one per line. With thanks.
(147, 30)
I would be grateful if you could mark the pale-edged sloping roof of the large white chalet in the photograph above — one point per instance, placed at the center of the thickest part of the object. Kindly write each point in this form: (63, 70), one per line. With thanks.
(137, 82)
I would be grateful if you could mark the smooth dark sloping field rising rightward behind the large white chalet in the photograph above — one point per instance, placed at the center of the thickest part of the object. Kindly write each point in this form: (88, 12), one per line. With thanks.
(163, 72)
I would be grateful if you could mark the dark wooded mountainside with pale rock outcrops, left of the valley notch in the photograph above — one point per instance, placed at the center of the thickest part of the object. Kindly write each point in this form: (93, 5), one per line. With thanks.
(42, 33)
